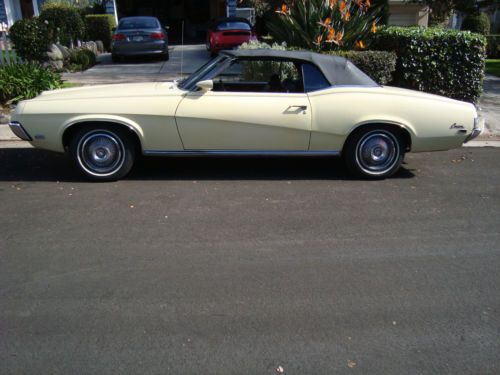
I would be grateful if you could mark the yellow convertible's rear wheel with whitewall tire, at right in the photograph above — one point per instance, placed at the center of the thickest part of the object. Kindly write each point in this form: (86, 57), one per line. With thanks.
(374, 153)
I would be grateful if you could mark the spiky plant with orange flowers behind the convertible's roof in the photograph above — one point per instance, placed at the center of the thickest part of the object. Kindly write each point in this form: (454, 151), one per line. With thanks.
(325, 25)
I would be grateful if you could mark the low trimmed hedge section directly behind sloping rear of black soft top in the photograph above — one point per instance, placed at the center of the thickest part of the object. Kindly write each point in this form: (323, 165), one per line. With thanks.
(379, 65)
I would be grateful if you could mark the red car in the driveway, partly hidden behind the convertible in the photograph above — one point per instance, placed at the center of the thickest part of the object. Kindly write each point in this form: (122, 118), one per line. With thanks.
(228, 33)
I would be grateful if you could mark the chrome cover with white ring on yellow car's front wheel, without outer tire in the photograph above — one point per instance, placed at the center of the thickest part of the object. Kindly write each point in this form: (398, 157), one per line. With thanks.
(101, 153)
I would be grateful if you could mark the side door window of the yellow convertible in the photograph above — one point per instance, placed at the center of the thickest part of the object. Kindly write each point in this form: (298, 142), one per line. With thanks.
(259, 76)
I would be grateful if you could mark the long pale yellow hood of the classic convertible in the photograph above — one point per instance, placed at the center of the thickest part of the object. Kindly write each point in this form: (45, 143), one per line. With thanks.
(113, 91)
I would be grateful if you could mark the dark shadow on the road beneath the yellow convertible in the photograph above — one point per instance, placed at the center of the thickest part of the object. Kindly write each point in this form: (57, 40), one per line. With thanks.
(28, 164)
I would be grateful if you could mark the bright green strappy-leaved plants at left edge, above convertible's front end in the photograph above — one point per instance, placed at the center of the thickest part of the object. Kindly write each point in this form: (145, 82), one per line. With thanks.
(25, 81)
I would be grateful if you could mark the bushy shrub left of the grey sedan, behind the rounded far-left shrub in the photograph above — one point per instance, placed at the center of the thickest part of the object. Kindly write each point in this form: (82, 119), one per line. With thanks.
(63, 22)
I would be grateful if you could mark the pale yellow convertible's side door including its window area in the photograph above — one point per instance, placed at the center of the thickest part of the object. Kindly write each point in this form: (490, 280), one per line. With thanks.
(245, 112)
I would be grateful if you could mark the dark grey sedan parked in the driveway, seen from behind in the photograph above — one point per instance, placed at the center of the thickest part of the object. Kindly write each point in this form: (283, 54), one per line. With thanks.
(139, 36)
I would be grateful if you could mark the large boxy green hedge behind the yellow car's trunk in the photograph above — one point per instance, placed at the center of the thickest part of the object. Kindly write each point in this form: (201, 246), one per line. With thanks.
(439, 61)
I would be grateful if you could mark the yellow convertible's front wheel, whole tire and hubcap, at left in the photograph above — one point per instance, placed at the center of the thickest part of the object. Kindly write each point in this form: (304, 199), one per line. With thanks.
(103, 153)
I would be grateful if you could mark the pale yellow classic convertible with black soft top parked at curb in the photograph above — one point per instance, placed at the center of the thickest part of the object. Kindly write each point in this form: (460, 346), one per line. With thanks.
(247, 102)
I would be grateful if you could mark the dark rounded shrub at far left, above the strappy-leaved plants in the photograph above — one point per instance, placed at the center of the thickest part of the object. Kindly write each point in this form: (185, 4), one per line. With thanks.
(30, 39)
